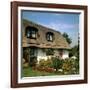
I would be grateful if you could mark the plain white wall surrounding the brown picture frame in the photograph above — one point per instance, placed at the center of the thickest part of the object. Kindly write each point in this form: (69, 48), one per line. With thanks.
(5, 47)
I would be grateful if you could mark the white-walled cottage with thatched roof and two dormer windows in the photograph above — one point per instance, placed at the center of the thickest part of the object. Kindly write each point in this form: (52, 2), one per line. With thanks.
(43, 42)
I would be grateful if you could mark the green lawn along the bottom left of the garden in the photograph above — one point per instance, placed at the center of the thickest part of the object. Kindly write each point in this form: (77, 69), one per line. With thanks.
(29, 72)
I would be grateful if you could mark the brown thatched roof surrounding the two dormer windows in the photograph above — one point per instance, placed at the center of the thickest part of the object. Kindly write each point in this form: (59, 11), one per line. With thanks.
(41, 41)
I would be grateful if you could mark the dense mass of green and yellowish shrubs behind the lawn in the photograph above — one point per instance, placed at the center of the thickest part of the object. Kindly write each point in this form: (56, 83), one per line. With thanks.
(68, 66)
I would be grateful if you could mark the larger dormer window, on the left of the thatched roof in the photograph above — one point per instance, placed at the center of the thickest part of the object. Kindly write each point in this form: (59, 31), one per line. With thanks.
(31, 32)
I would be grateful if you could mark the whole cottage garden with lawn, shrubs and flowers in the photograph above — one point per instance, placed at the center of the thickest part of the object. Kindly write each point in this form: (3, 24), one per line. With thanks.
(53, 66)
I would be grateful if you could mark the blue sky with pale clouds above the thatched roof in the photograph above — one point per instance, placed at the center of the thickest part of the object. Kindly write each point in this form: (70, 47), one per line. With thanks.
(62, 22)
